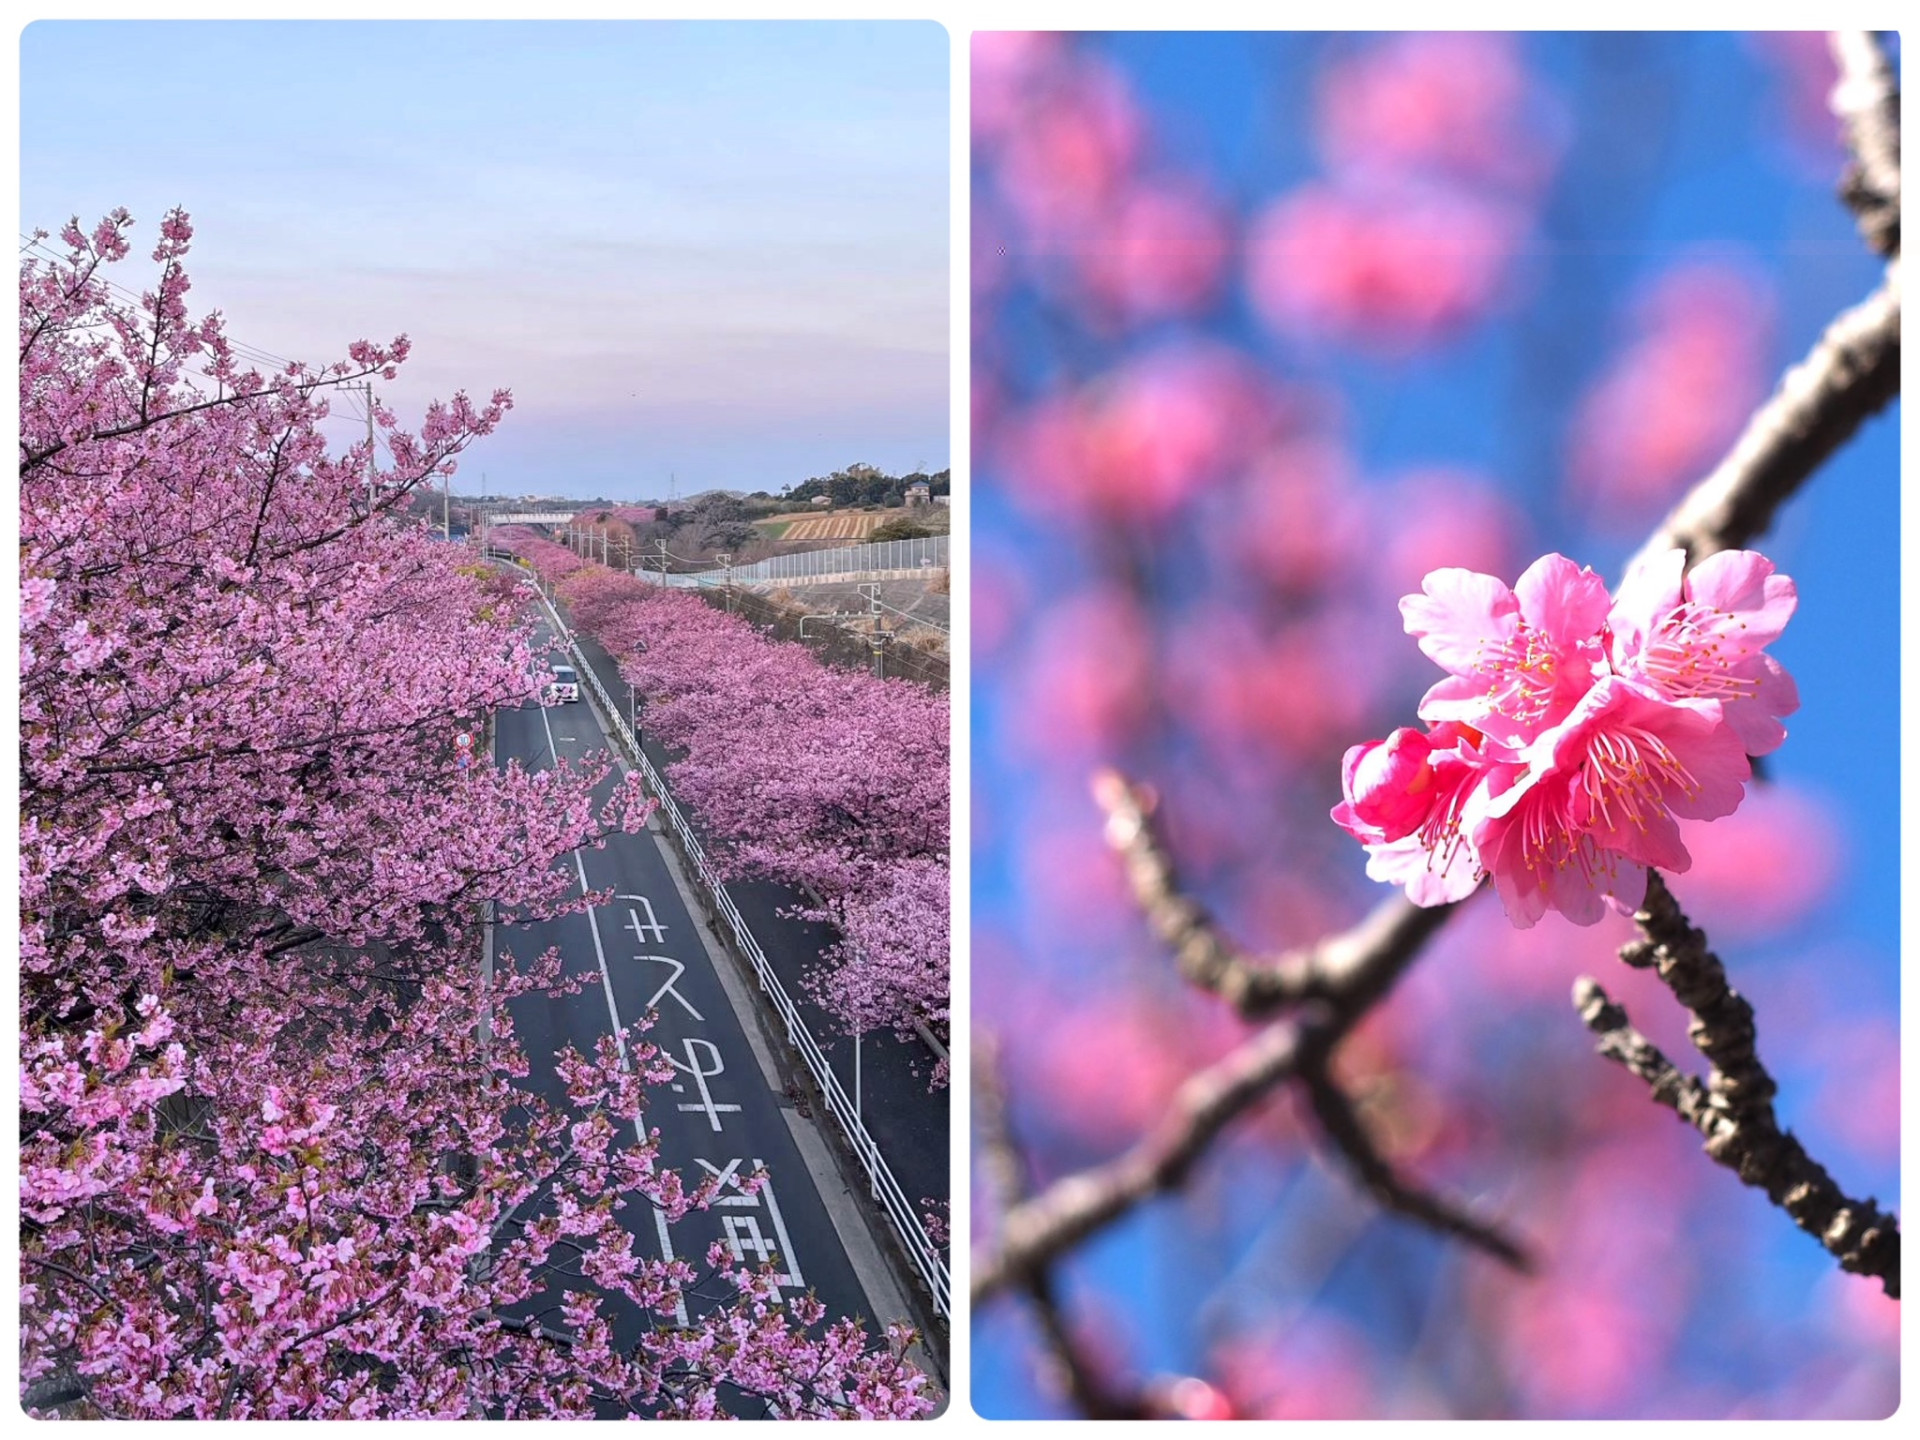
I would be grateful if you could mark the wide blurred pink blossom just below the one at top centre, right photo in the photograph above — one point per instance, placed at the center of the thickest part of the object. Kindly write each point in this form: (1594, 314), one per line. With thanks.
(1381, 268)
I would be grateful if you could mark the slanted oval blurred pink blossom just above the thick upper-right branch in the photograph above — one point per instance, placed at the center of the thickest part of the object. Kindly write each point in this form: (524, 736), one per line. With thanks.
(1669, 404)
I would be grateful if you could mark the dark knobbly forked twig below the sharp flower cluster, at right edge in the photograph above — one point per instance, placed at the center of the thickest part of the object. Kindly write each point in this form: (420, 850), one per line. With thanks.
(1735, 1109)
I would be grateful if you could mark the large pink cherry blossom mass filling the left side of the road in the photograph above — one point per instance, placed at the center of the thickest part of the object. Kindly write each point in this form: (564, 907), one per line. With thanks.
(277, 1151)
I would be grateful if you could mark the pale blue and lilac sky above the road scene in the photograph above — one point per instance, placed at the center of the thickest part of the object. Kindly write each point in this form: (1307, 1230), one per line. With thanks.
(709, 251)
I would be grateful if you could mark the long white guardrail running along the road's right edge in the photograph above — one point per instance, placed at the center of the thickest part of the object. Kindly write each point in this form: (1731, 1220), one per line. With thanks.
(886, 1189)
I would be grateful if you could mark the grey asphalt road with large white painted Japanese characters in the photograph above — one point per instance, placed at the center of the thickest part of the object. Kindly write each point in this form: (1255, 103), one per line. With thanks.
(727, 1113)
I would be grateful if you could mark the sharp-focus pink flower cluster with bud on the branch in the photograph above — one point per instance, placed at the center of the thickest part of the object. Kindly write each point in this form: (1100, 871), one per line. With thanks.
(1573, 731)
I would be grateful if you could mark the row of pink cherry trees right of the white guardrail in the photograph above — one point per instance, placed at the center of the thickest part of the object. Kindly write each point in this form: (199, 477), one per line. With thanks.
(827, 780)
